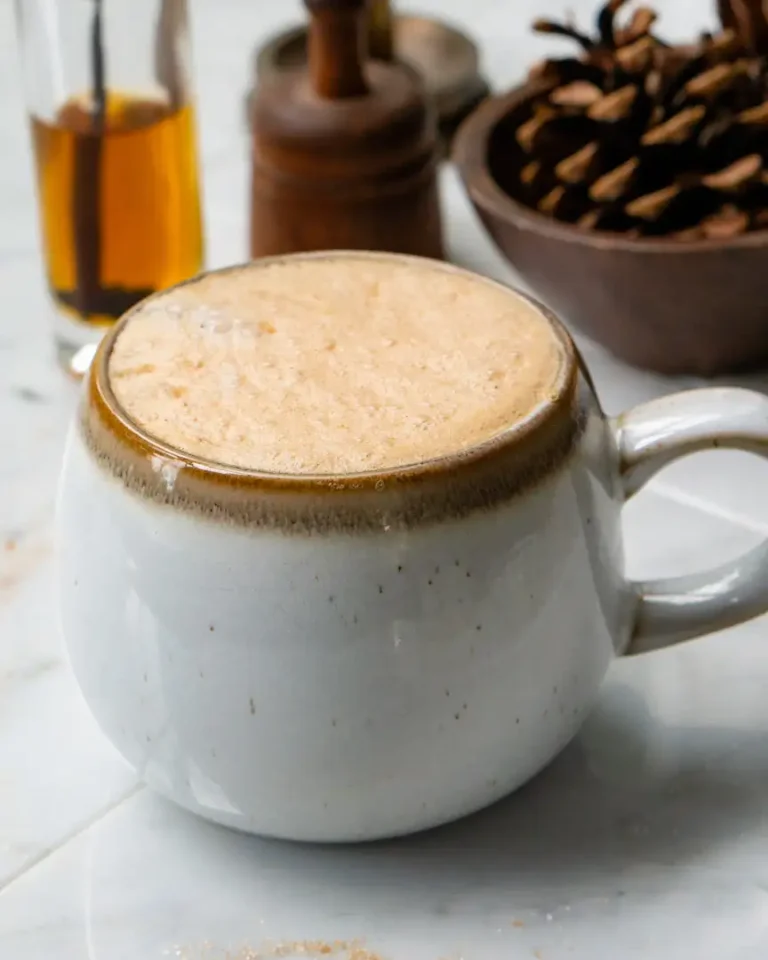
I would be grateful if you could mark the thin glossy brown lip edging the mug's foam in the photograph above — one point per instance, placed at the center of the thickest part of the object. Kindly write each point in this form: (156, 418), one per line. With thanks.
(102, 402)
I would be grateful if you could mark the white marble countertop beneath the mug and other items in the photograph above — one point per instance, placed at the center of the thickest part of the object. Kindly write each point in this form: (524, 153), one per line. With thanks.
(647, 838)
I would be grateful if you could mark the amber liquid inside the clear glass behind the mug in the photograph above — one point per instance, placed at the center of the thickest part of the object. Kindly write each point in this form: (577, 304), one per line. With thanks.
(144, 217)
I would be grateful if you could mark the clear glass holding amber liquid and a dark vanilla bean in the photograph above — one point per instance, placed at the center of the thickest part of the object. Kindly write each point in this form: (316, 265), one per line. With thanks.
(113, 131)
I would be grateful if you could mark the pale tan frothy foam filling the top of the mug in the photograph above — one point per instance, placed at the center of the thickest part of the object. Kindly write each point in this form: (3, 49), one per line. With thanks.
(333, 365)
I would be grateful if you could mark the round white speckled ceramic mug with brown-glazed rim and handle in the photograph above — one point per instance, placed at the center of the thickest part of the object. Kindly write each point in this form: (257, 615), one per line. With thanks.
(348, 658)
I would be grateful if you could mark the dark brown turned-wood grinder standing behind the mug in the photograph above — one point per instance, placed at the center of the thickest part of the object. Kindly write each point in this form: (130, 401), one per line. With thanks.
(344, 154)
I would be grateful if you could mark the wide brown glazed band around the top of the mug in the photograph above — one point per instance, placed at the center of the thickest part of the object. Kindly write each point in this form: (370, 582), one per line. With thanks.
(534, 445)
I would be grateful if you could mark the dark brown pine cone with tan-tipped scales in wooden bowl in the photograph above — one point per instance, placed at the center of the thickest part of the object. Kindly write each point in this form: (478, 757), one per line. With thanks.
(639, 137)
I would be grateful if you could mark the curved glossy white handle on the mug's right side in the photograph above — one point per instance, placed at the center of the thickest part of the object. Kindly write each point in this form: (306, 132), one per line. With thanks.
(648, 438)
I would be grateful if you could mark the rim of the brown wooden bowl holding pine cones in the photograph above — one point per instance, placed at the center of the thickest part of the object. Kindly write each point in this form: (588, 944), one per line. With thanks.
(470, 154)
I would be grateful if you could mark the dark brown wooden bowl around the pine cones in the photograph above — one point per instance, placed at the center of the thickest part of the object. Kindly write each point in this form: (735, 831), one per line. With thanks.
(698, 307)
